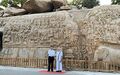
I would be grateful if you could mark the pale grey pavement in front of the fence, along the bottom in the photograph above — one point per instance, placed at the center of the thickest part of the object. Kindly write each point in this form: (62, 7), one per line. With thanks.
(32, 71)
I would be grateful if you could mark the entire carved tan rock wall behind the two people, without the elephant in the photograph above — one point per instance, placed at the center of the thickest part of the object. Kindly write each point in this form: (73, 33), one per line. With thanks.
(79, 32)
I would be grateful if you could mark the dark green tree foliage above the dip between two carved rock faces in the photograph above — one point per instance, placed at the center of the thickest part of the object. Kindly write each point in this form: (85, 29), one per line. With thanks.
(90, 3)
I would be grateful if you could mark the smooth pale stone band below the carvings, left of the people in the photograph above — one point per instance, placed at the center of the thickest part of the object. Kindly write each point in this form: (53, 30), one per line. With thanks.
(24, 52)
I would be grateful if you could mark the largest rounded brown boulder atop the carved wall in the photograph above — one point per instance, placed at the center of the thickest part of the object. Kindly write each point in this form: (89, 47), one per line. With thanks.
(38, 6)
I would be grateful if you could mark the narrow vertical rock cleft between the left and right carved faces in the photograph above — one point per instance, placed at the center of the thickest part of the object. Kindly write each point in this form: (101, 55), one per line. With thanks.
(81, 51)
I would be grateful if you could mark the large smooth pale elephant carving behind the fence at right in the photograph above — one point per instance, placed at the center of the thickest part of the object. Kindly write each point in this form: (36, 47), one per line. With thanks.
(107, 54)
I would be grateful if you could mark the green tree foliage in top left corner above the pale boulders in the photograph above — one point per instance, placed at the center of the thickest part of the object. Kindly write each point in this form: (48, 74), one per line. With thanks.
(14, 2)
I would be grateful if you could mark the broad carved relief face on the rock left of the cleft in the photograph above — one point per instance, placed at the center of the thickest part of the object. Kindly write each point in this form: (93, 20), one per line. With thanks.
(40, 31)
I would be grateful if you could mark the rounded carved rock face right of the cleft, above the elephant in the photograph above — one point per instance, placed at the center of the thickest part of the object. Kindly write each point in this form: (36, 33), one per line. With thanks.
(101, 26)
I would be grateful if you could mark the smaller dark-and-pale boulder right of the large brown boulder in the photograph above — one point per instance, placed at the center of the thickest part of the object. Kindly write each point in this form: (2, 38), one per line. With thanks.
(58, 3)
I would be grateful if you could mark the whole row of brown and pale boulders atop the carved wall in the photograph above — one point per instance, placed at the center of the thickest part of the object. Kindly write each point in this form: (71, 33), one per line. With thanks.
(35, 6)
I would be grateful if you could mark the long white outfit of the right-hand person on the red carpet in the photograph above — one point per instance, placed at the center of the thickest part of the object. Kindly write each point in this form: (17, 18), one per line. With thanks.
(59, 55)
